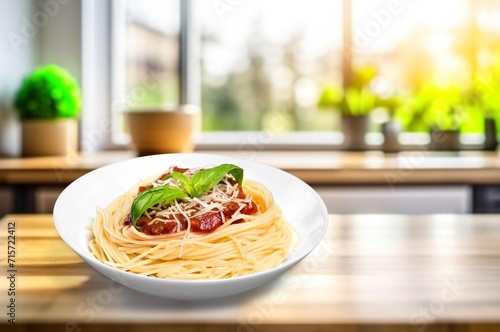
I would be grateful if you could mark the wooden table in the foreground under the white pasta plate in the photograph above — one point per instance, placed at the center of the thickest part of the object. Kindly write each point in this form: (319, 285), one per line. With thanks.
(370, 273)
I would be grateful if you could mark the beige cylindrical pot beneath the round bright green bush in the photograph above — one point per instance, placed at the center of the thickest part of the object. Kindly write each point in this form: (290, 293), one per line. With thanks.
(57, 137)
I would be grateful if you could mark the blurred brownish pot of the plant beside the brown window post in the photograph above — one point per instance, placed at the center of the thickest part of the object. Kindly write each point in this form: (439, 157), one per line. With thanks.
(354, 129)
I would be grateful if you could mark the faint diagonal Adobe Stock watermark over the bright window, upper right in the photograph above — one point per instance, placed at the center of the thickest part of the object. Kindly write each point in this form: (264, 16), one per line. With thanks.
(380, 19)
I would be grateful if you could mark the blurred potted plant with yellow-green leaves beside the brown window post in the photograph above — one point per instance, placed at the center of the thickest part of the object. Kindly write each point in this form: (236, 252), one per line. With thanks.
(355, 103)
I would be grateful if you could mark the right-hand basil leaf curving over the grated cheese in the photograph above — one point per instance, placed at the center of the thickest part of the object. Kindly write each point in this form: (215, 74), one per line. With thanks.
(206, 179)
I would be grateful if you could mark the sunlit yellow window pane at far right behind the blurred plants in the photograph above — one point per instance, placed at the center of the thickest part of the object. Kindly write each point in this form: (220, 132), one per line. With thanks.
(422, 48)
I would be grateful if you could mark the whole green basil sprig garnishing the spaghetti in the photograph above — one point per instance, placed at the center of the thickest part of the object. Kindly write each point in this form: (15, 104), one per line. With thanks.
(196, 186)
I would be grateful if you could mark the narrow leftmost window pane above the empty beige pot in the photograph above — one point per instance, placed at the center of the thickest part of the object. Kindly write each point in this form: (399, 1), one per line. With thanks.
(153, 51)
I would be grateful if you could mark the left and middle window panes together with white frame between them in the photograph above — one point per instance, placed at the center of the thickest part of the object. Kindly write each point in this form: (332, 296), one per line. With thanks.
(259, 70)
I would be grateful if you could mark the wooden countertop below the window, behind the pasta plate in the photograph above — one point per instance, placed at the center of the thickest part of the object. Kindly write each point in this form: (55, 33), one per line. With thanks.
(314, 167)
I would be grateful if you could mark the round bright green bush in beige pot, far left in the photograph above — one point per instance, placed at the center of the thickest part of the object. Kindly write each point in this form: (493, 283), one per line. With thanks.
(48, 104)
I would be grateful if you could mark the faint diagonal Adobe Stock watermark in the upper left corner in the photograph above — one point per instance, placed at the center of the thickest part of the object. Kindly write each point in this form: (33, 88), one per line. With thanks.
(39, 19)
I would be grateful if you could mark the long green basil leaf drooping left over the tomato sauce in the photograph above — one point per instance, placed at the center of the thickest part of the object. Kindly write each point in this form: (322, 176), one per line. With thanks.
(151, 197)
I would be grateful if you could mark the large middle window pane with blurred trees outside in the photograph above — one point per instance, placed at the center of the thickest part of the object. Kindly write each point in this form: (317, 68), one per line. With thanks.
(265, 62)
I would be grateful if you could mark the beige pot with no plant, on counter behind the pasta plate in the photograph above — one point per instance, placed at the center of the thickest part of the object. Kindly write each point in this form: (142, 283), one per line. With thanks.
(156, 131)
